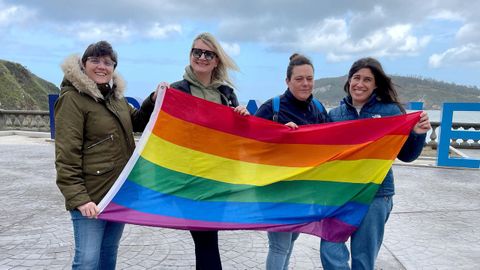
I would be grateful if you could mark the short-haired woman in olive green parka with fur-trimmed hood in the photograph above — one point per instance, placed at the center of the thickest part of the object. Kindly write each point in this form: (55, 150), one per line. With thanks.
(93, 142)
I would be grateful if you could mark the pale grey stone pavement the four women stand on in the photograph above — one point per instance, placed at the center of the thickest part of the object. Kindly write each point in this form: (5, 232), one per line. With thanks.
(435, 223)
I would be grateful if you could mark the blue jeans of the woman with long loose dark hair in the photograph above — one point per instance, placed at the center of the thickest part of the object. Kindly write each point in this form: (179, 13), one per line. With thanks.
(365, 242)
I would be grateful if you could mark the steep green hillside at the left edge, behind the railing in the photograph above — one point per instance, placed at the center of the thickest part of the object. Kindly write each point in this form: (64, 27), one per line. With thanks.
(22, 90)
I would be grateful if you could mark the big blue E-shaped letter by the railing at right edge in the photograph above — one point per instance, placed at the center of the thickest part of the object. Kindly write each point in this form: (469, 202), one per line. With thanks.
(446, 134)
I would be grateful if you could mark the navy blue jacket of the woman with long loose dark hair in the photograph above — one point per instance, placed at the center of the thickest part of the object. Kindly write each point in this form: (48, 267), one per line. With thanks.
(375, 108)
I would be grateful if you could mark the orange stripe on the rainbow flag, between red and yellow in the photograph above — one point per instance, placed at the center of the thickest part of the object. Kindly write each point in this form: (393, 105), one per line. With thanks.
(227, 145)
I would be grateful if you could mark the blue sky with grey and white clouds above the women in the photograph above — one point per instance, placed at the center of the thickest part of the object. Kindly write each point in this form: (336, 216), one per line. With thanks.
(431, 39)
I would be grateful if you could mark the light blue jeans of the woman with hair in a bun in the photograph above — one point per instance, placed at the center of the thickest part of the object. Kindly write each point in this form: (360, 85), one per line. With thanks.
(280, 246)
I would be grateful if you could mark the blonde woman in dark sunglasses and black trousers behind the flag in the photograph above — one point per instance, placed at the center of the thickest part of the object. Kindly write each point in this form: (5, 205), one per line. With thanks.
(207, 77)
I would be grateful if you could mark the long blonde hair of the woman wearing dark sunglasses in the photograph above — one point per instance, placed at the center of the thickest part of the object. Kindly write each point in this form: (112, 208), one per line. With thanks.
(220, 73)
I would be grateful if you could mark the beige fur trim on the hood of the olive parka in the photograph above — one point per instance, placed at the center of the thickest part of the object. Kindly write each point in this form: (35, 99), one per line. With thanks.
(72, 69)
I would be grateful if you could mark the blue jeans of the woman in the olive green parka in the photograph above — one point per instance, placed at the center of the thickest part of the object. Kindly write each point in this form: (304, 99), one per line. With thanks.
(96, 242)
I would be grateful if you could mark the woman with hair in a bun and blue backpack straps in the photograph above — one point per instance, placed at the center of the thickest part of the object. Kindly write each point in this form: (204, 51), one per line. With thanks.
(296, 107)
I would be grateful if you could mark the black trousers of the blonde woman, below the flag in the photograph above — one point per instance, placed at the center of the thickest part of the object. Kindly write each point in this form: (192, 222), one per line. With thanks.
(207, 255)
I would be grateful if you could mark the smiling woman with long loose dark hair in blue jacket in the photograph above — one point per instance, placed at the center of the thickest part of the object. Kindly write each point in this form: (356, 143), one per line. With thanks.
(370, 93)
